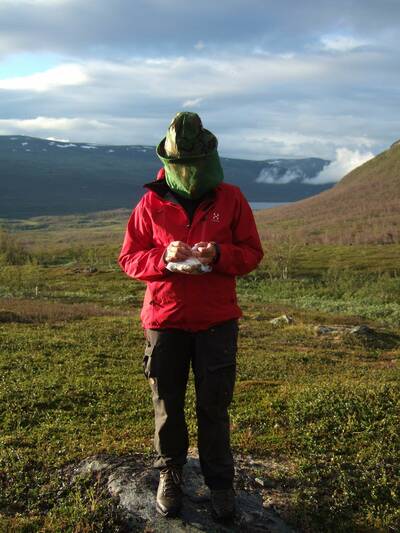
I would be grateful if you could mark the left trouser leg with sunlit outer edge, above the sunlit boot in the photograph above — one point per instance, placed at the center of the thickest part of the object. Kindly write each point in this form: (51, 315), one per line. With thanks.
(166, 365)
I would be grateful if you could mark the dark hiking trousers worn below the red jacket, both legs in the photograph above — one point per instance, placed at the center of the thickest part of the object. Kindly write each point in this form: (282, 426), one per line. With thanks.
(212, 354)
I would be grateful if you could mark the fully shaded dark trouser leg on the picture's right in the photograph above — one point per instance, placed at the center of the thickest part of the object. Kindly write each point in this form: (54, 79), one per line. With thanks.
(214, 366)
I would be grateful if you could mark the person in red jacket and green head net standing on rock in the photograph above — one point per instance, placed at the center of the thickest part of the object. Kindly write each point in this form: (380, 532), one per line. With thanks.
(190, 216)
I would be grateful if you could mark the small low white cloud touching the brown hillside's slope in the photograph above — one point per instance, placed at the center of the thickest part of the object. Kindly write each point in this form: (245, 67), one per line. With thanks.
(345, 161)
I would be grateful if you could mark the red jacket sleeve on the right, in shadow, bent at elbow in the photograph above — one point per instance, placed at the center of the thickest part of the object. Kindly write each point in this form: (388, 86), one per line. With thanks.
(245, 252)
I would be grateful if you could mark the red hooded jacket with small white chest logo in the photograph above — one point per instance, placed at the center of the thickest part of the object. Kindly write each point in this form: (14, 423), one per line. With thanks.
(190, 302)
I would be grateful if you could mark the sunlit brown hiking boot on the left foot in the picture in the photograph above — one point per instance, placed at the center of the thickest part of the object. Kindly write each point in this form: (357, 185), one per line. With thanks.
(169, 493)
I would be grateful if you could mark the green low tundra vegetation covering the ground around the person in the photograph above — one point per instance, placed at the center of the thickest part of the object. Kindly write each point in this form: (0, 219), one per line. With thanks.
(324, 409)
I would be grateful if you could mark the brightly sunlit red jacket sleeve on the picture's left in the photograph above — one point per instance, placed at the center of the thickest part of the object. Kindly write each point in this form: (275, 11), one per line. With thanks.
(139, 257)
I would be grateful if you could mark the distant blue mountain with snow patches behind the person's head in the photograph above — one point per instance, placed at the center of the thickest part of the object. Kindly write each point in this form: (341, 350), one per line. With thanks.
(45, 177)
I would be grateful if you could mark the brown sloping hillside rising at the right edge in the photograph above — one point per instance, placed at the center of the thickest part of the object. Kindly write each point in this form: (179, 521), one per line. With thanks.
(364, 207)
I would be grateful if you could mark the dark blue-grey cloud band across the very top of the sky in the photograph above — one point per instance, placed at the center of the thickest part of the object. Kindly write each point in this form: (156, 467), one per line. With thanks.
(99, 27)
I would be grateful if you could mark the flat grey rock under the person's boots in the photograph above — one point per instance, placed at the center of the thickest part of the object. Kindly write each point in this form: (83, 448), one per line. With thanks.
(133, 484)
